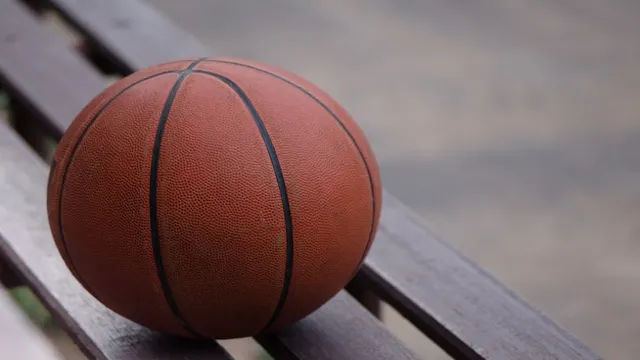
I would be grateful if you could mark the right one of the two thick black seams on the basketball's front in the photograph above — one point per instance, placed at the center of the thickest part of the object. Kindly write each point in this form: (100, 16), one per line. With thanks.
(277, 169)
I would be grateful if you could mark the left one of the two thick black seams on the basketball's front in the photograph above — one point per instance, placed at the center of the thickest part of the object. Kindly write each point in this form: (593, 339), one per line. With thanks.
(153, 200)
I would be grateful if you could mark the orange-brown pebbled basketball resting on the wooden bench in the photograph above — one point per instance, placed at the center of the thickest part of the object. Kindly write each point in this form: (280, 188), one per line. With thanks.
(215, 198)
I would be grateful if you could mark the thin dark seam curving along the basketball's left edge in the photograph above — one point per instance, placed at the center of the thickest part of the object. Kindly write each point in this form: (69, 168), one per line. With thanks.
(68, 165)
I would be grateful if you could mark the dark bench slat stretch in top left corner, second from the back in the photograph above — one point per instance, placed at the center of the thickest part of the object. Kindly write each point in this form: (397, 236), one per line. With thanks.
(26, 75)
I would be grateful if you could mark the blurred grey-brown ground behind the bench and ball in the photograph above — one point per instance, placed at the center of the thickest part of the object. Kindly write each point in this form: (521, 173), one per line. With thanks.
(512, 126)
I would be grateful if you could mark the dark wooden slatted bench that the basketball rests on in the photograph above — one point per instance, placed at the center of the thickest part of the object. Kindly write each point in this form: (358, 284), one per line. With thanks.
(451, 300)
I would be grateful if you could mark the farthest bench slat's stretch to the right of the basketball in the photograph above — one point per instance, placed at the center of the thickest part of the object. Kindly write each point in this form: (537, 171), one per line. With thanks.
(460, 306)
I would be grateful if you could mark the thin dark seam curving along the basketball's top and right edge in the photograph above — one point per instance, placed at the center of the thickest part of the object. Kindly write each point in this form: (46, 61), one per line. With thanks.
(337, 119)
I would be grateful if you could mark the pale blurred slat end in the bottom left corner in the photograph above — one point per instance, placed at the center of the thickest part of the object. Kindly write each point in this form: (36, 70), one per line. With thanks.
(20, 339)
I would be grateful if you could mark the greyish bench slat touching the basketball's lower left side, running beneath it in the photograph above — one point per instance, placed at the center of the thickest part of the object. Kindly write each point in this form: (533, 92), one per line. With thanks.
(26, 244)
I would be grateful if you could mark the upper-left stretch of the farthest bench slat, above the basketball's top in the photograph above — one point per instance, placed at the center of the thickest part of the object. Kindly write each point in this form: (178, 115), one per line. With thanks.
(131, 33)
